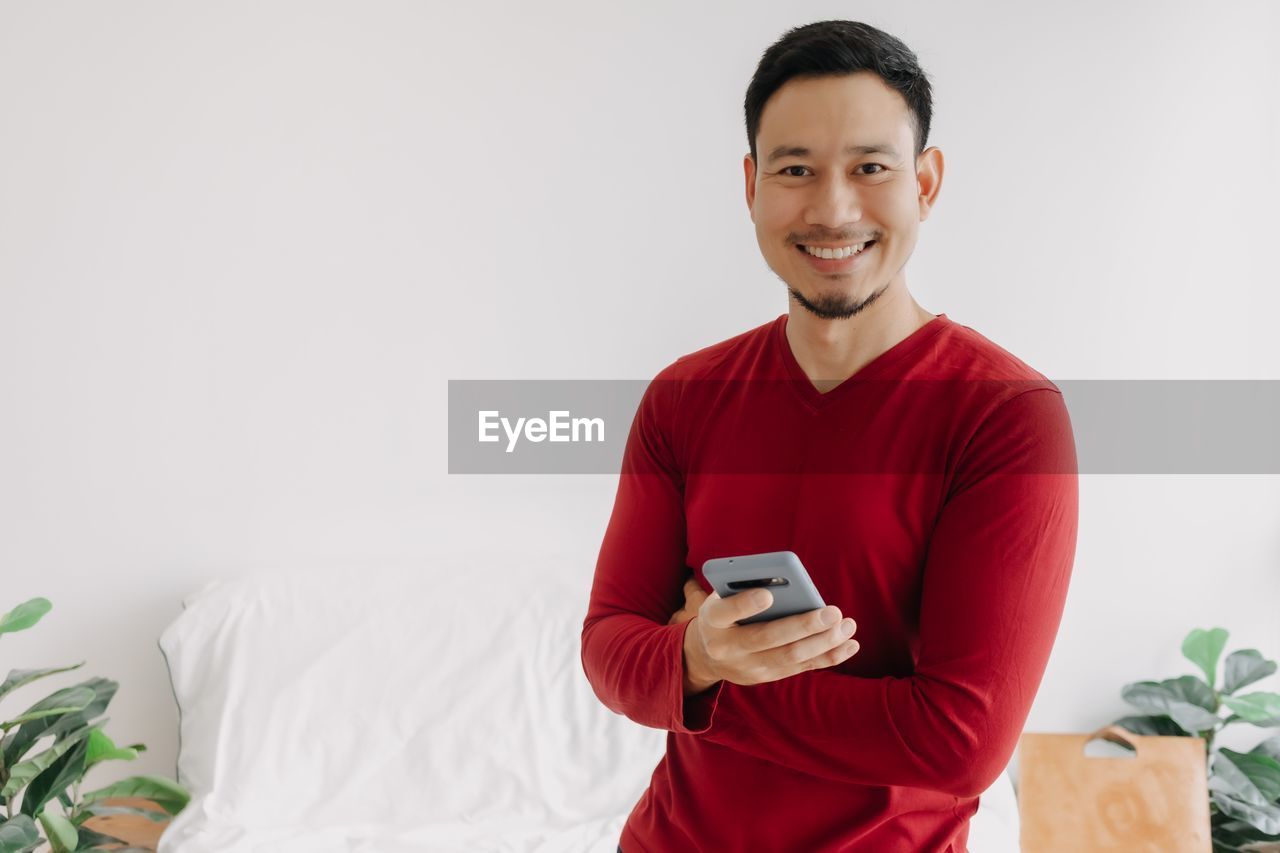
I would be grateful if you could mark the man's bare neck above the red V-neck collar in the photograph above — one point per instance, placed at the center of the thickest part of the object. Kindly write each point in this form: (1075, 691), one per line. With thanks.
(830, 352)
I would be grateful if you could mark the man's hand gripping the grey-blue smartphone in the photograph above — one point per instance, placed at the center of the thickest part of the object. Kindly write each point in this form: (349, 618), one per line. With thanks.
(717, 649)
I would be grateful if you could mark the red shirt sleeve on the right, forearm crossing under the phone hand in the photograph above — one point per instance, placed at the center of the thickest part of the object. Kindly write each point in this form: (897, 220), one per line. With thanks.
(994, 591)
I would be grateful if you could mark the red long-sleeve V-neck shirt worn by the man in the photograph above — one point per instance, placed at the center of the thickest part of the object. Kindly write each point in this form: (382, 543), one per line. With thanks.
(932, 498)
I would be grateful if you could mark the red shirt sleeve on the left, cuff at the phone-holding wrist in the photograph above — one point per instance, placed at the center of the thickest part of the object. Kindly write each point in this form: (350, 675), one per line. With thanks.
(633, 659)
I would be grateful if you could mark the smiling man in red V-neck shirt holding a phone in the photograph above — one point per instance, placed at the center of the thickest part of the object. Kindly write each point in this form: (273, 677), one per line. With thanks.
(925, 477)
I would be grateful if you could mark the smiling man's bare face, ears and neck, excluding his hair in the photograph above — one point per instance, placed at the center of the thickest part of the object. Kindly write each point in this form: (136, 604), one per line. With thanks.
(838, 204)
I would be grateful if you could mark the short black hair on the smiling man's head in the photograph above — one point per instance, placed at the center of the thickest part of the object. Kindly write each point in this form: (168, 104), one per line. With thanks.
(836, 49)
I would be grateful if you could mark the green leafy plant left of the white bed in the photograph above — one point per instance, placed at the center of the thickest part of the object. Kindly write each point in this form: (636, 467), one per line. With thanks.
(57, 772)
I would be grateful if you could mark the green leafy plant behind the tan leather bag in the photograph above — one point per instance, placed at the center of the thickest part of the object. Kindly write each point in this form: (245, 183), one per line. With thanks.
(1245, 787)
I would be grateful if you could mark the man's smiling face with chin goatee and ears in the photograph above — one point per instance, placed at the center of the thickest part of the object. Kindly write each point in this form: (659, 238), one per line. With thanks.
(833, 198)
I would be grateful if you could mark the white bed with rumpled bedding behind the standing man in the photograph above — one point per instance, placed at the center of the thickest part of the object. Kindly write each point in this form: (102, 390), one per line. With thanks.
(412, 709)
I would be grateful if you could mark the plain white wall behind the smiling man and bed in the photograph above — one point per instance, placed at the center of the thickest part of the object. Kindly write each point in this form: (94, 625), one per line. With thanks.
(244, 247)
